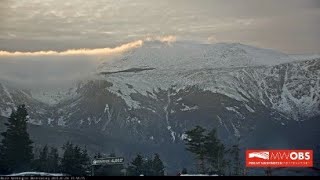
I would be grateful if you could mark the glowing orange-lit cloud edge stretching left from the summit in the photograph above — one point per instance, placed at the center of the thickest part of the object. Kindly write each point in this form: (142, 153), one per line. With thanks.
(77, 52)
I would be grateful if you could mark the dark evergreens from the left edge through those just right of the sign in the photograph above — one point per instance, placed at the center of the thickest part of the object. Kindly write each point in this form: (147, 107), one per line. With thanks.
(17, 155)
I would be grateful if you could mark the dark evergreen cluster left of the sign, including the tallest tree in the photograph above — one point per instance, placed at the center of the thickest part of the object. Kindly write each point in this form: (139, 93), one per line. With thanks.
(16, 151)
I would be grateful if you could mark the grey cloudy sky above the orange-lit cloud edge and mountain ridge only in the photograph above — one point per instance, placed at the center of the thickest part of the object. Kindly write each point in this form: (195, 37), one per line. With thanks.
(291, 26)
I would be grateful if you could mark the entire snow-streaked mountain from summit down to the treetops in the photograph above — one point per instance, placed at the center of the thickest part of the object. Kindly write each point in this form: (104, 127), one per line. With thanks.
(156, 92)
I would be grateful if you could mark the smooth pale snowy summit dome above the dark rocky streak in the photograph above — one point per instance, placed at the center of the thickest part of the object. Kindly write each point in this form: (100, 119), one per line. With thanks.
(189, 56)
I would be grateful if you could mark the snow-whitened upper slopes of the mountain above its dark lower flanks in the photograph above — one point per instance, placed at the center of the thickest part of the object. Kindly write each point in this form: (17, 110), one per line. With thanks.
(224, 68)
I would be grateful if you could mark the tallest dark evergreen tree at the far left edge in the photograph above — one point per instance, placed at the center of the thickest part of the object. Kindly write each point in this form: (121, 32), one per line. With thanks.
(16, 145)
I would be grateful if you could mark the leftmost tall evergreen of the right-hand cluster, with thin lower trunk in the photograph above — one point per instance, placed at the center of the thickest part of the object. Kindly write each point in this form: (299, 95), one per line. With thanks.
(195, 143)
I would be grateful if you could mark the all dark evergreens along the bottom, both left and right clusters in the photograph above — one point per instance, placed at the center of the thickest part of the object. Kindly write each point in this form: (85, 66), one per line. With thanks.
(17, 155)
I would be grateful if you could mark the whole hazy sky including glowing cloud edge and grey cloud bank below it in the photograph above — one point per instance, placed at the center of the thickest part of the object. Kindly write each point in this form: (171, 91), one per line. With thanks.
(52, 43)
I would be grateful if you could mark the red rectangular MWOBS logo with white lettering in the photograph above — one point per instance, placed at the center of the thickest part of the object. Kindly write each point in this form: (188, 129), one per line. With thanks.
(279, 158)
